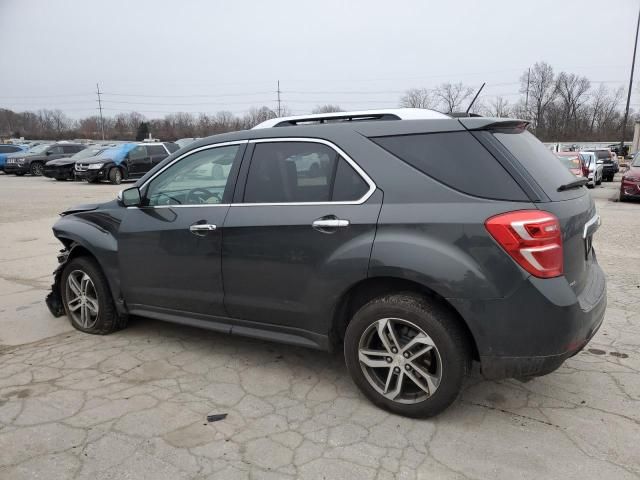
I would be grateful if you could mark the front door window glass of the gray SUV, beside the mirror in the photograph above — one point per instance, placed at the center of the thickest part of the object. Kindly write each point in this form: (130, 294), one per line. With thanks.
(201, 178)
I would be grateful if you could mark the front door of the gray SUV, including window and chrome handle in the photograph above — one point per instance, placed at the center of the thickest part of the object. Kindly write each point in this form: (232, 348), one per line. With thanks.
(169, 248)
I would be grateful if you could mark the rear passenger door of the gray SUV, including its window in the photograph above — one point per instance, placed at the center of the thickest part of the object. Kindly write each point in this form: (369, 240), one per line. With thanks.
(299, 234)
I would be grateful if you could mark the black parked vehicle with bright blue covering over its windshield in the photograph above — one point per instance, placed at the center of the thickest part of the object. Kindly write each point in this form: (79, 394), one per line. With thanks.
(127, 161)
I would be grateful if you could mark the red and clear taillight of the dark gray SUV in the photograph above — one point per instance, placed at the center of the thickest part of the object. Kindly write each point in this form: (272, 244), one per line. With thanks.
(532, 238)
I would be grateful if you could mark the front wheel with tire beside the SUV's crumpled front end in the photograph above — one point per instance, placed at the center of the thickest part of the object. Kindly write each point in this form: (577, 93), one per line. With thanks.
(87, 298)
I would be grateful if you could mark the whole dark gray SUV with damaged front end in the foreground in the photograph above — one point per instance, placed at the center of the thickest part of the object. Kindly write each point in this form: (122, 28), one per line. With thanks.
(416, 246)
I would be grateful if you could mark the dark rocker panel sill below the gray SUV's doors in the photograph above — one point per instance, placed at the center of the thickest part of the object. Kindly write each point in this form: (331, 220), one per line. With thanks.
(245, 328)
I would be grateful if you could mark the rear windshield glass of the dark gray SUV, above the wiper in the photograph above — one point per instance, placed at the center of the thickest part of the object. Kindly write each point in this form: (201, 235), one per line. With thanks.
(542, 164)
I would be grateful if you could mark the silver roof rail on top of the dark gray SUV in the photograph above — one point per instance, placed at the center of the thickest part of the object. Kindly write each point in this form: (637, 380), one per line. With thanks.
(382, 114)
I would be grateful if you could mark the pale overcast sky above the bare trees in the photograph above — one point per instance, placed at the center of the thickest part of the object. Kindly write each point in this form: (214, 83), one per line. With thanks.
(165, 56)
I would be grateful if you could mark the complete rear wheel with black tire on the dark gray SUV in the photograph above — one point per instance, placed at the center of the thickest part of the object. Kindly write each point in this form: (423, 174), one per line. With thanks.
(407, 355)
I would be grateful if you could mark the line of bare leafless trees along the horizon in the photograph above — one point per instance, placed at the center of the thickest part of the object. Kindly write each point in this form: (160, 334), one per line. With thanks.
(559, 106)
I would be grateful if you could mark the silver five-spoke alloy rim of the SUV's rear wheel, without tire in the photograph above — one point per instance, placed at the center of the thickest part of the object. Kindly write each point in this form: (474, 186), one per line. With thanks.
(400, 361)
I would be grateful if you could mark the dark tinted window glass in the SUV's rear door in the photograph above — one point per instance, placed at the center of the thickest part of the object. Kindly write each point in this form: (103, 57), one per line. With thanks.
(300, 172)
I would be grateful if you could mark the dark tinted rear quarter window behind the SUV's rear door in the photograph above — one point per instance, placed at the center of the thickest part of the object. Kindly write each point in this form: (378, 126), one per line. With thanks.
(458, 160)
